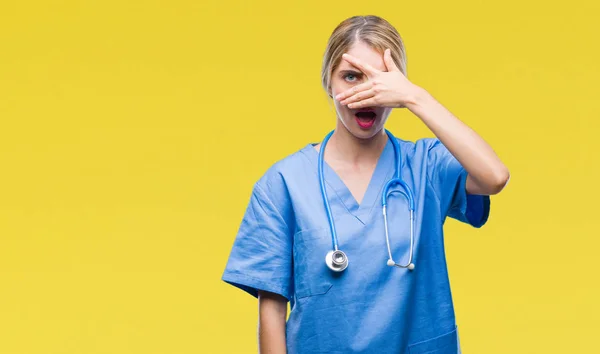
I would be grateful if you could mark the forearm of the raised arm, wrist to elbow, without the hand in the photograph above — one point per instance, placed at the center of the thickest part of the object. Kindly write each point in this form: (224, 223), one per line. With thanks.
(487, 174)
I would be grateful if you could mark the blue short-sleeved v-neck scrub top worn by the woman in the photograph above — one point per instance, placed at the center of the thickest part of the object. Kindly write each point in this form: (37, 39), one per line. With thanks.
(370, 307)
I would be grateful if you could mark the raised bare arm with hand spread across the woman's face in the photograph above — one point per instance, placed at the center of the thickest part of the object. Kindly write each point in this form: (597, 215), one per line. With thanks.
(487, 175)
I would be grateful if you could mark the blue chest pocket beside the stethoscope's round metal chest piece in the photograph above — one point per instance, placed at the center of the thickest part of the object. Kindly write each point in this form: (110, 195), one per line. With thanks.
(311, 275)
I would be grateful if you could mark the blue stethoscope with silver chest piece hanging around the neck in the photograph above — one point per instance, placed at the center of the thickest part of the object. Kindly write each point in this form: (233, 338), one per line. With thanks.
(336, 259)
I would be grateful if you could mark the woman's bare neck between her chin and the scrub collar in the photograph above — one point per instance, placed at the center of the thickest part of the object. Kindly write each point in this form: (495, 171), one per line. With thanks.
(347, 147)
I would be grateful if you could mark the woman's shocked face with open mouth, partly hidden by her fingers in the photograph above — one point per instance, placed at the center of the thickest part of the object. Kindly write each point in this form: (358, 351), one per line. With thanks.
(361, 124)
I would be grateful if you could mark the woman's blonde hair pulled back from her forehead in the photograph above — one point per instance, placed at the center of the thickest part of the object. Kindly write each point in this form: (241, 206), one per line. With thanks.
(372, 30)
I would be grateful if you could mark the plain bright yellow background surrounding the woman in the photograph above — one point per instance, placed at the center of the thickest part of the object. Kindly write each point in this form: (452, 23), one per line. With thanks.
(131, 133)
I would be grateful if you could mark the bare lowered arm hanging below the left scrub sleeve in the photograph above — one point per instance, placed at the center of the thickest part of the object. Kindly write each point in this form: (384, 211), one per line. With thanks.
(272, 312)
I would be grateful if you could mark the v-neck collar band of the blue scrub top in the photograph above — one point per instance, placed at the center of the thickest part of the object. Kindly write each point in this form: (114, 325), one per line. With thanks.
(383, 171)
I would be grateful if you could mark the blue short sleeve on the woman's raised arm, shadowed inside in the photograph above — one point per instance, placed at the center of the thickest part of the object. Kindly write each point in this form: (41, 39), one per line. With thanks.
(449, 180)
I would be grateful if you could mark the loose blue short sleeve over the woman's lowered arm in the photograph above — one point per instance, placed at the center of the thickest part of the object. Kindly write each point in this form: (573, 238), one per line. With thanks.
(261, 256)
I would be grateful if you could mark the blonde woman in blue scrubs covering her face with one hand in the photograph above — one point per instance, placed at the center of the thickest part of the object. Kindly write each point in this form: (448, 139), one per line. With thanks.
(367, 299)
